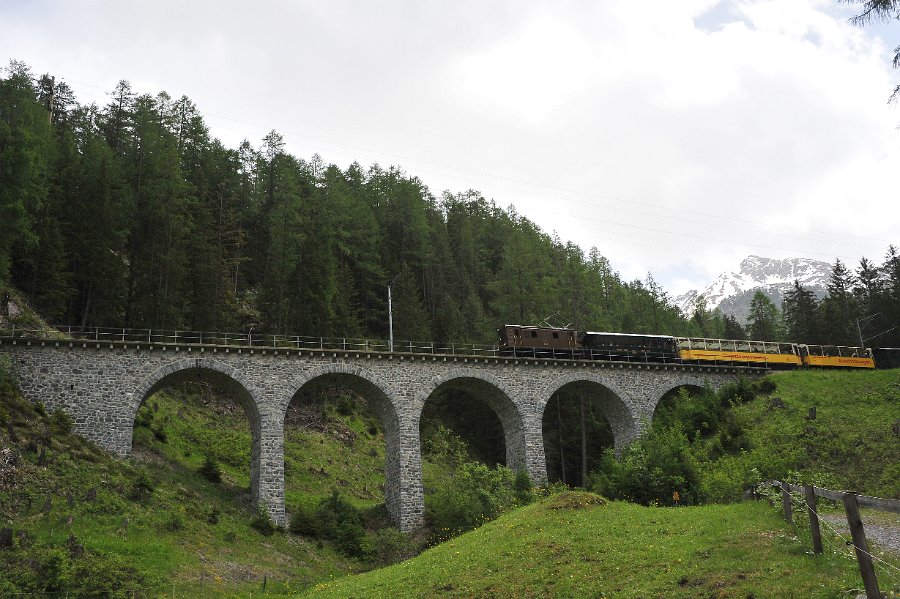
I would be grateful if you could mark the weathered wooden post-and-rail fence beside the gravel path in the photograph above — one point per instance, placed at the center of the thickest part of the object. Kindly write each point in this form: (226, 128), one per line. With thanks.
(852, 502)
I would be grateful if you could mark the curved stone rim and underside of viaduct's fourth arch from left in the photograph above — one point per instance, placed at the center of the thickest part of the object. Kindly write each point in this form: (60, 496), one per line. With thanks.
(623, 415)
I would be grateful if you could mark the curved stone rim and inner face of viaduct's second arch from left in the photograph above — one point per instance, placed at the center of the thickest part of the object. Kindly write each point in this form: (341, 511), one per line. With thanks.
(374, 389)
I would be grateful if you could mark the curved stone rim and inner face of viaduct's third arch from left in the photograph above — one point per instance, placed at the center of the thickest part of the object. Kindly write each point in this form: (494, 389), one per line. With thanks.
(499, 398)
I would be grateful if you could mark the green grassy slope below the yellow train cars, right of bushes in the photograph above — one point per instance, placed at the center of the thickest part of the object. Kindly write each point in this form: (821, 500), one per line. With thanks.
(853, 442)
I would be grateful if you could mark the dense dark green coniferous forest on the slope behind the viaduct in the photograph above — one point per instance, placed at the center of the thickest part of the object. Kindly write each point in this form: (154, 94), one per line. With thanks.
(131, 215)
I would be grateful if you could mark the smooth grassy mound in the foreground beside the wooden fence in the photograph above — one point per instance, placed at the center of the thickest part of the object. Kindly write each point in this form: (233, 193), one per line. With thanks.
(577, 545)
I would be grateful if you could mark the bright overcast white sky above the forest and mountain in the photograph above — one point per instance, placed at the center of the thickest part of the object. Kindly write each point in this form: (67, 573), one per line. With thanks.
(675, 136)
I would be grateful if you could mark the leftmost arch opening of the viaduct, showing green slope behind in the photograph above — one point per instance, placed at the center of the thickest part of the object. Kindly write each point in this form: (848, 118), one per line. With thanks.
(193, 412)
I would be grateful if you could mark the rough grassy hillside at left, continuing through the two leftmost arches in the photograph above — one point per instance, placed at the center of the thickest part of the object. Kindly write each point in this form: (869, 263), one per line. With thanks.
(84, 522)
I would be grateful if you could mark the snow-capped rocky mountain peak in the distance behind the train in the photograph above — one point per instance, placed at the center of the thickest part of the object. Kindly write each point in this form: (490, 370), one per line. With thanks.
(731, 292)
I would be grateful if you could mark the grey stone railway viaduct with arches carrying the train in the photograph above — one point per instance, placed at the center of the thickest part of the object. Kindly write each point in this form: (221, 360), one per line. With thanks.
(101, 384)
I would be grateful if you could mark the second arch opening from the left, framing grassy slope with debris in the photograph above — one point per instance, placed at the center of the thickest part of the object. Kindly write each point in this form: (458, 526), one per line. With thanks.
(342, 433)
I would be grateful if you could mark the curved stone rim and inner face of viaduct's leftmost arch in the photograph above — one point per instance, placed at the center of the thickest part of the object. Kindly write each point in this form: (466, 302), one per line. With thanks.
(264, 486)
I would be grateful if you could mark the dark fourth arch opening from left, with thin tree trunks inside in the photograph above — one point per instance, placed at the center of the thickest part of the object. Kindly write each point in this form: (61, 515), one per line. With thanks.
(580, 420)
